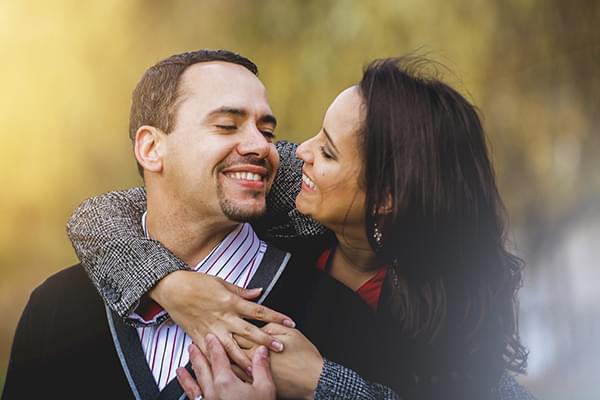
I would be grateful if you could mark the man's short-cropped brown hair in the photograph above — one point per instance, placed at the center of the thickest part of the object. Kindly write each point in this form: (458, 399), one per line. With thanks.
(156, 97)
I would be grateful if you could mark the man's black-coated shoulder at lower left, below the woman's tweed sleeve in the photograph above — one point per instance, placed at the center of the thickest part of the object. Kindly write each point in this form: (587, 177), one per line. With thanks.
(63, 342)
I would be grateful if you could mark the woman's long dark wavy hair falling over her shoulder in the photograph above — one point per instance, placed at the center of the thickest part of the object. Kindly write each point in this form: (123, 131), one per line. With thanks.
(431, 190)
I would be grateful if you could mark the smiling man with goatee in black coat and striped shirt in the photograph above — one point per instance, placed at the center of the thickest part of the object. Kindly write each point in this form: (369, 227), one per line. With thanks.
(202, 128)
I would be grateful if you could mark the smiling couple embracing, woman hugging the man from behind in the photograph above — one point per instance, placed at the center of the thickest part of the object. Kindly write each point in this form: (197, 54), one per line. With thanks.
(410, 286)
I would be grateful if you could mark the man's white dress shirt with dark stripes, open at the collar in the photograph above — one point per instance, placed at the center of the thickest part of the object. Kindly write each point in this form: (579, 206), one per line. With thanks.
(235, 260)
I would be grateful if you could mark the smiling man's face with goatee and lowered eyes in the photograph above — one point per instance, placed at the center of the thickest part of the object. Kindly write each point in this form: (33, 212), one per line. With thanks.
(219, 159)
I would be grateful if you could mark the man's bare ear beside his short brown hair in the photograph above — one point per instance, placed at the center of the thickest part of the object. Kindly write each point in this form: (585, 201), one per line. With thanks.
(149, 148)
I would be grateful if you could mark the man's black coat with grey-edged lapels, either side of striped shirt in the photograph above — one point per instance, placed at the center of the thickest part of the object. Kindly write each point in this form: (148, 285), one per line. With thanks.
(64, 347)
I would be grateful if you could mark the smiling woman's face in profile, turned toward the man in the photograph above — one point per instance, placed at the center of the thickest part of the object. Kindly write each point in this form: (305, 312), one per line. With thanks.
(331, 192)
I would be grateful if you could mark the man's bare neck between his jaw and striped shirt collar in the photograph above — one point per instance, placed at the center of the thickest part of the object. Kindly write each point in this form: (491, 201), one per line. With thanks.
(190, 239)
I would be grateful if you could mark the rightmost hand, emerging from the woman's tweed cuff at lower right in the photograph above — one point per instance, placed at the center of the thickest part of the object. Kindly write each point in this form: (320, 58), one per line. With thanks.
(297, 369)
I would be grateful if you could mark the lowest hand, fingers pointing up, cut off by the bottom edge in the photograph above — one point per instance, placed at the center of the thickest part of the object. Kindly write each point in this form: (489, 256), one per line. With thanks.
(216, 380)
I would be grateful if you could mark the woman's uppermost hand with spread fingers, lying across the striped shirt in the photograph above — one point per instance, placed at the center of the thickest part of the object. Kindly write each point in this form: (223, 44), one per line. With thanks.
(203, 304)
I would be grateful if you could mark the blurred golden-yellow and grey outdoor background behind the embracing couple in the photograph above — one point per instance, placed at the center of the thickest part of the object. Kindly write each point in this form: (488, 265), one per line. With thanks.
(68, 67)
